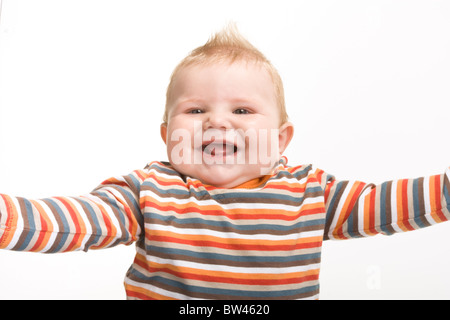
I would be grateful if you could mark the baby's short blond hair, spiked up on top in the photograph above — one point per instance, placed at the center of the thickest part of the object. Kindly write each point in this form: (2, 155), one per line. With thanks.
(230, 46)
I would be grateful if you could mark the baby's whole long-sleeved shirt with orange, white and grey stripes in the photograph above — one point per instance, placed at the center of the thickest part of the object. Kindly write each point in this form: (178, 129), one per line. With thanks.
(195, 241)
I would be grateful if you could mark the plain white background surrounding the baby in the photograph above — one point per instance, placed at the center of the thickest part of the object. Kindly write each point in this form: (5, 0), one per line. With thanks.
(82, 86)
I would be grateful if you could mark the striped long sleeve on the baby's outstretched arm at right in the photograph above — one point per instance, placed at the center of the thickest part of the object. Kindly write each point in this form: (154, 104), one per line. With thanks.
(356, 209)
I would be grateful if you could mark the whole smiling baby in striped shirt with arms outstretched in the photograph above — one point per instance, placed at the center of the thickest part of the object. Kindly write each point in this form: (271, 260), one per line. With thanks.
(226, 217)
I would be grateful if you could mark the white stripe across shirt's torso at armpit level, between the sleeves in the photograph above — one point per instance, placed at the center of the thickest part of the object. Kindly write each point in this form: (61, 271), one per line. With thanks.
(233, 235)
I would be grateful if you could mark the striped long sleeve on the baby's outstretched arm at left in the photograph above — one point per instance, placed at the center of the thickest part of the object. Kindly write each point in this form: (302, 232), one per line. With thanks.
(108, 216)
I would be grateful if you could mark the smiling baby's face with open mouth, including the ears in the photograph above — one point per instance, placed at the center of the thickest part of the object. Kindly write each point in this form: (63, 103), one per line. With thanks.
(224, 123)
